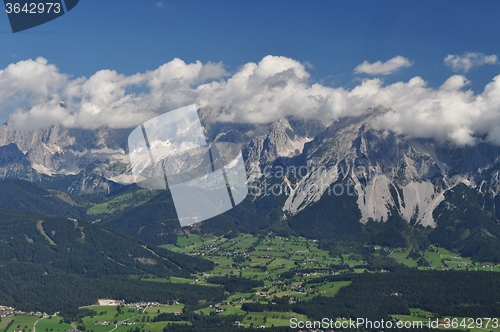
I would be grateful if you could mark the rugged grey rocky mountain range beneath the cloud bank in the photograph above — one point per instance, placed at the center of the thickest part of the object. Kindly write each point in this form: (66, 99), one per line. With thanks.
(351, 177)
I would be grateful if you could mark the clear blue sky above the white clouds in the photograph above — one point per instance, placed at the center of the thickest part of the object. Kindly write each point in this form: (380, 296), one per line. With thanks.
(132, 36)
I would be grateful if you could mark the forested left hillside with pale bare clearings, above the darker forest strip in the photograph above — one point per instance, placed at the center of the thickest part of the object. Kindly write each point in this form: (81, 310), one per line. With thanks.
(79, 247)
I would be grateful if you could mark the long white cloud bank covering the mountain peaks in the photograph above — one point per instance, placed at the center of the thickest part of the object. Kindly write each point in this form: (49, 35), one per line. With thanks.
(259, 92)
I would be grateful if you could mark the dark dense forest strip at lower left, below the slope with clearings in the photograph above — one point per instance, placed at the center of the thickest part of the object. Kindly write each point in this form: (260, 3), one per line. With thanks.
(35, 287)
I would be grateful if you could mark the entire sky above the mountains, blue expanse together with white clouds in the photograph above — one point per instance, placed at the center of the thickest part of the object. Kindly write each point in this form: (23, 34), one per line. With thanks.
(435, 63)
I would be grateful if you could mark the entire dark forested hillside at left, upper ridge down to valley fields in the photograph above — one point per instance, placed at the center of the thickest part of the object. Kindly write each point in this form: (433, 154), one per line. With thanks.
(58, 262)
